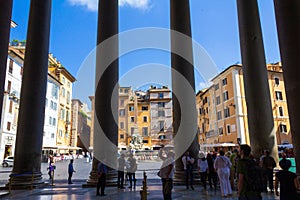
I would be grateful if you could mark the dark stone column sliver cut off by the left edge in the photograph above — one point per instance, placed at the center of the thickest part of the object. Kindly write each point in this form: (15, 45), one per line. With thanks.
(5, 18)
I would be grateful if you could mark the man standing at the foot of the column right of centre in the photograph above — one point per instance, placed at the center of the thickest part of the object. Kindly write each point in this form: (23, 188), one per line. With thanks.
(188, 163)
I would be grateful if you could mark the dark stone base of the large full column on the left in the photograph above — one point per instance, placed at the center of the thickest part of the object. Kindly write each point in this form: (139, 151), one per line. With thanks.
(25, 180)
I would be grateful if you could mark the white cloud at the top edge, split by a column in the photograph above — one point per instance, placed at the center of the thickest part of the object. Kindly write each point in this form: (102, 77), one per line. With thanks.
(93, 4)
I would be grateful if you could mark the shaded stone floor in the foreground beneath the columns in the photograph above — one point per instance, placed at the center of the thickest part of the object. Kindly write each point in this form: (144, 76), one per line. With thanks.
(64, 191)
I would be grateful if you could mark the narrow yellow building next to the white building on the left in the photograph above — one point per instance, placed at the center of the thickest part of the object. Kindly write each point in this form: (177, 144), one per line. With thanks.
(63, 140)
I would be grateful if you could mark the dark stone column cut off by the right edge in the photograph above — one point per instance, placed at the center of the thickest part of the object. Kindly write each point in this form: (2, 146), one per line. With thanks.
(288, 28)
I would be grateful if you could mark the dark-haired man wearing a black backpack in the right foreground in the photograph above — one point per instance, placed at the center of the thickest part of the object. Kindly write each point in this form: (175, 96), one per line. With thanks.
(246, 189)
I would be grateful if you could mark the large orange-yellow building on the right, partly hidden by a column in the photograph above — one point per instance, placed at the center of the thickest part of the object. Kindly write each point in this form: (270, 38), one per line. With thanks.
(225, 111)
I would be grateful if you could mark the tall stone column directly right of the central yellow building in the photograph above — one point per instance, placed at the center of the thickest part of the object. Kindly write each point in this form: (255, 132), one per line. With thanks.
(182, 71)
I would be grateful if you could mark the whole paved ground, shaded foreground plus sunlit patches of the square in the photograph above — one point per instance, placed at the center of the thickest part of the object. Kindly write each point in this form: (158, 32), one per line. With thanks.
(62, 191)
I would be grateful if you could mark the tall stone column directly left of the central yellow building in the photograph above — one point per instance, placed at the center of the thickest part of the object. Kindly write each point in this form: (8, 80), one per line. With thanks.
(106, 91)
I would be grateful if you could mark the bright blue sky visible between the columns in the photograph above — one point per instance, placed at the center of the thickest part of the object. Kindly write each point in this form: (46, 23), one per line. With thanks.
(214, 27)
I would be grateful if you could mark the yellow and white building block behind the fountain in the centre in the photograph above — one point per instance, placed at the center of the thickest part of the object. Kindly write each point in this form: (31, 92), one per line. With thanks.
(145, 118)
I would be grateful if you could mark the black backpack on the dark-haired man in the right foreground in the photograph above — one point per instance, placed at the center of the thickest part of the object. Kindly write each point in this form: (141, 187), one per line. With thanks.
(254, 178)
